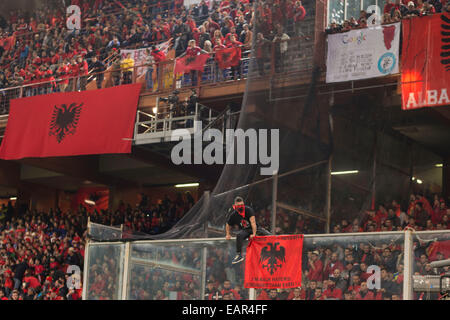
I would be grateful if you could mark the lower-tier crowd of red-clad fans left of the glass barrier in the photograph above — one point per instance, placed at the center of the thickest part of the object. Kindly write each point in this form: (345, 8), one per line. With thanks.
(37, 248)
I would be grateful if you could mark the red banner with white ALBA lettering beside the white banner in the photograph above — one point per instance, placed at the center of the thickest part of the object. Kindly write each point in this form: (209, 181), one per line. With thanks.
(426, 62)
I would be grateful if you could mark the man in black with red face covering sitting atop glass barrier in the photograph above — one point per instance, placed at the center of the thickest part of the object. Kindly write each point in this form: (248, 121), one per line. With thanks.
(244, 217)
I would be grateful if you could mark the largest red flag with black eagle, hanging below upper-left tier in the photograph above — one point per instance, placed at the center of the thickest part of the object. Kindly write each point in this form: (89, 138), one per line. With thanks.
(74, 123)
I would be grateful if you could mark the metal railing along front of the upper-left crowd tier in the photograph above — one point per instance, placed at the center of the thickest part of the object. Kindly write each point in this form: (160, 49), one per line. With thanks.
(297, 60)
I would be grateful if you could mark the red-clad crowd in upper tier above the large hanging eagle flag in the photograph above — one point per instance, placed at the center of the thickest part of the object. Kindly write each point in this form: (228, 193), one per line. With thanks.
(38, 47)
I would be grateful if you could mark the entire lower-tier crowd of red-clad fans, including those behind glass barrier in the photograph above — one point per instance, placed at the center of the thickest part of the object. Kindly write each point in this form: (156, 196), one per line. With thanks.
(37, 248)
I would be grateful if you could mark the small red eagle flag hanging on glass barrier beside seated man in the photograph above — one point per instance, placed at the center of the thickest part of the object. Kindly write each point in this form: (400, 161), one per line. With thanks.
(274, 262)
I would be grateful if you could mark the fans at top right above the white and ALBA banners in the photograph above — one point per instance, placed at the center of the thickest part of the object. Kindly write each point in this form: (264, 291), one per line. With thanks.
(392, 12)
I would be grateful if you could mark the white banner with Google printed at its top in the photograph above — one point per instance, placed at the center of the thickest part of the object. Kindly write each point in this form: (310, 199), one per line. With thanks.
(363, 53)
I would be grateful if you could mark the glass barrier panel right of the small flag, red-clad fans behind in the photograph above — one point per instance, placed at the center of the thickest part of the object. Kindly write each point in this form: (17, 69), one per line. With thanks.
(350, 267)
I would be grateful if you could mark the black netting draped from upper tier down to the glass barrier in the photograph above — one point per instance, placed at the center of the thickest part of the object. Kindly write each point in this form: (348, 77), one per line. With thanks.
(344, 152)
